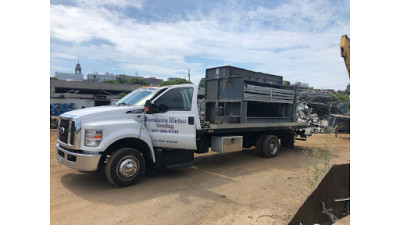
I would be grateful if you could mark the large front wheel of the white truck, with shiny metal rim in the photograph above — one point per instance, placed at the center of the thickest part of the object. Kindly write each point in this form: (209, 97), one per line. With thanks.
(125, 167)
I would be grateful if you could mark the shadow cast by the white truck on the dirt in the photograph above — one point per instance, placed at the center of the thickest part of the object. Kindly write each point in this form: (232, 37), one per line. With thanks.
(207, 172)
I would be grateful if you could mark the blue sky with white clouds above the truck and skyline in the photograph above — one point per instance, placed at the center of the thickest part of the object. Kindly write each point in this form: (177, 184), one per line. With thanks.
(298, 39)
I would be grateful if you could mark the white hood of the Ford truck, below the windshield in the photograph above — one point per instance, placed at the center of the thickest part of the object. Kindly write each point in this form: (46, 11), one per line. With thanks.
(103, 113)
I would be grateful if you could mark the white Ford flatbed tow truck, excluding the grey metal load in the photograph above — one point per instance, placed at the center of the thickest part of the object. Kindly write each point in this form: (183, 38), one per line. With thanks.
(161, 127)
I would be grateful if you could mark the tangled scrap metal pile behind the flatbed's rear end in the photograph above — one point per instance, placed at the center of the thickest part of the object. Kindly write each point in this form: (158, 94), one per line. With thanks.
(317, 109)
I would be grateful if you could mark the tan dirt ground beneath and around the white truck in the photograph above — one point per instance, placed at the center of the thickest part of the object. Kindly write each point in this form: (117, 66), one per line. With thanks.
(234, 188)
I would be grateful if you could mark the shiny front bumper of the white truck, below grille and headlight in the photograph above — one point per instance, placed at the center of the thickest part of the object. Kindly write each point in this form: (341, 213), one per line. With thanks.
(77, 160)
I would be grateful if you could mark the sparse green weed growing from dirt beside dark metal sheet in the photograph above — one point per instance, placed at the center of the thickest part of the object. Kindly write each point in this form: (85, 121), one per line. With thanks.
(318, 161)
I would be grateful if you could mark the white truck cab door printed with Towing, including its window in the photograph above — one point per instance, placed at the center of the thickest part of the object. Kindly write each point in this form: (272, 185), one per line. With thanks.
(172, 124)
